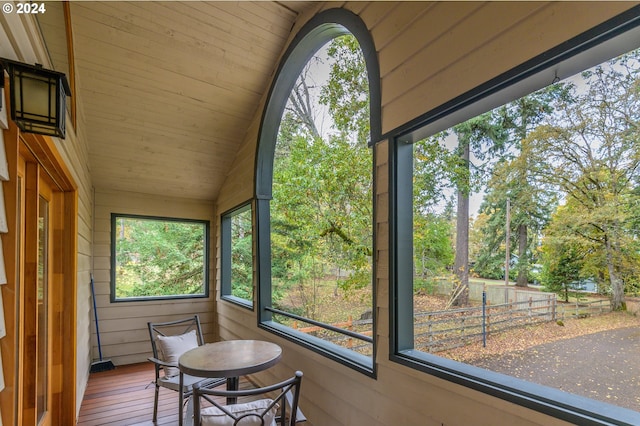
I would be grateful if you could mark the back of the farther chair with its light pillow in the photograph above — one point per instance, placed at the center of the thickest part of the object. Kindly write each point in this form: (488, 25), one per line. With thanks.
(170, 339)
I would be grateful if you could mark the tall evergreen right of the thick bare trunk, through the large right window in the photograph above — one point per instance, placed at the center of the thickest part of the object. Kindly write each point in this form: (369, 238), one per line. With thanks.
(530, 201)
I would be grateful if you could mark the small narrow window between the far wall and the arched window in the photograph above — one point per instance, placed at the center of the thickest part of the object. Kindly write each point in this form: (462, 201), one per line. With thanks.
(237, 256)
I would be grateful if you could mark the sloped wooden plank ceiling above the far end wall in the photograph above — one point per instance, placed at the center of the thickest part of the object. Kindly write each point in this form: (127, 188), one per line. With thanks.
(166, 90)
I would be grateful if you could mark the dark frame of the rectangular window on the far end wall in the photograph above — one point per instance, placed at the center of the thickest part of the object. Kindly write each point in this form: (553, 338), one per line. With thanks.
(206, 224)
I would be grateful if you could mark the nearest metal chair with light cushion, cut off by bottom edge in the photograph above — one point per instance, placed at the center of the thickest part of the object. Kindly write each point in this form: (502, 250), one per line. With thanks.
(266, 406)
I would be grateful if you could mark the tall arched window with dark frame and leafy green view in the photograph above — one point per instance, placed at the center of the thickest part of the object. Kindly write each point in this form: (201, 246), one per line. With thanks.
(314, 191)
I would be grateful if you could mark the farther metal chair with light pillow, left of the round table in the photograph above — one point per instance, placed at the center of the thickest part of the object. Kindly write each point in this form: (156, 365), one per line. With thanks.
(169, 340)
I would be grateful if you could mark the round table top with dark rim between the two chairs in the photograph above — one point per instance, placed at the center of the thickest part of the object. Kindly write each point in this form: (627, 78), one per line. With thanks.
(229, 358)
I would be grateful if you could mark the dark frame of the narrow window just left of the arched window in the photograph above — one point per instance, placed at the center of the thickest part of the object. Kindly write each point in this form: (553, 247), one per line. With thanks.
(226, 245)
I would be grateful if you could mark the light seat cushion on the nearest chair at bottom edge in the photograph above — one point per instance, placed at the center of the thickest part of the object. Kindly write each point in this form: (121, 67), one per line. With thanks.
(213, 416)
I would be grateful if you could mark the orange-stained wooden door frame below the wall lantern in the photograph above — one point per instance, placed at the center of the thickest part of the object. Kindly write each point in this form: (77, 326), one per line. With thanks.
(16, 402)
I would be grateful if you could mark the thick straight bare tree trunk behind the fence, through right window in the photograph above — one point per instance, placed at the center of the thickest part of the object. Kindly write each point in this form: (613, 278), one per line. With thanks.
(461, 264)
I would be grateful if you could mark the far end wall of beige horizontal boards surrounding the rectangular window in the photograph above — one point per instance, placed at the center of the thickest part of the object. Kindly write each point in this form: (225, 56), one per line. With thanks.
(124, 336)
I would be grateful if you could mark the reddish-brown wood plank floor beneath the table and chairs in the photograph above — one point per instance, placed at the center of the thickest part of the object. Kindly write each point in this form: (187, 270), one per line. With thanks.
(124, 397)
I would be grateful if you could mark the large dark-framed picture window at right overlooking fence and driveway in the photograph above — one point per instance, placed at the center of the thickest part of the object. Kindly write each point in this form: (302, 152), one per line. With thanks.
(516, 234)
